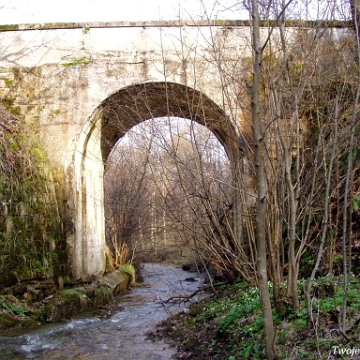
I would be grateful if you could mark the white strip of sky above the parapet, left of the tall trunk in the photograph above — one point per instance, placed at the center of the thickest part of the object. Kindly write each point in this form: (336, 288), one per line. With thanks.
(49, 11)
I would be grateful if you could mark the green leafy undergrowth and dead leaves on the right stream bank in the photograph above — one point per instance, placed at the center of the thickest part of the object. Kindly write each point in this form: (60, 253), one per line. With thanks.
(231, 326)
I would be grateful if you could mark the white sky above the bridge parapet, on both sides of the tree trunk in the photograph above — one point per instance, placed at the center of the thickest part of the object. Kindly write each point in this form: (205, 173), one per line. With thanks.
(50, 11)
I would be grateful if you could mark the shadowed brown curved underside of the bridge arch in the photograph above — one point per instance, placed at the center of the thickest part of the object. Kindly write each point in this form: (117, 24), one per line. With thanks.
(134, 104)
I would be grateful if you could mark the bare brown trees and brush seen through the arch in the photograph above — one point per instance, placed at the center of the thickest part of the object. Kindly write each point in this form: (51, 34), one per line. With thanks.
(181, 192)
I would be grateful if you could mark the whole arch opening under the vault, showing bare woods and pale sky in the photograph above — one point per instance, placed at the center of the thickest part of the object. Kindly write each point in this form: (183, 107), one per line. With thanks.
(166, 185)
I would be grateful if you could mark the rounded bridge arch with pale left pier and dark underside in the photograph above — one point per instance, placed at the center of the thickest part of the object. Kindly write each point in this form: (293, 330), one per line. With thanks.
(109, 122)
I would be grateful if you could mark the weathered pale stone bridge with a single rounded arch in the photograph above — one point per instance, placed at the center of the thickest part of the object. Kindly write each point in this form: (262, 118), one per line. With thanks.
(81, 87)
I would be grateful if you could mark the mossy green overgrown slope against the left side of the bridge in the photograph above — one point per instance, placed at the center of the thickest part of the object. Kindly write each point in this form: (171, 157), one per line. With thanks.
(31, 239)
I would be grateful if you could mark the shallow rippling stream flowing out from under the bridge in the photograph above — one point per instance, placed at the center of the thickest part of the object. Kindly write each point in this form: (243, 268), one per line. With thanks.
(123, 335)
